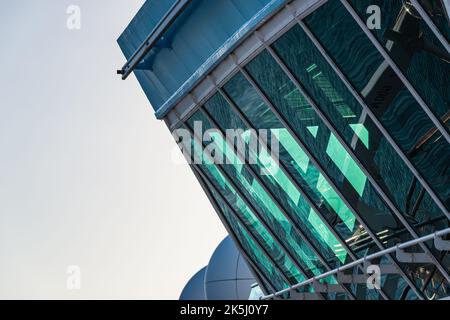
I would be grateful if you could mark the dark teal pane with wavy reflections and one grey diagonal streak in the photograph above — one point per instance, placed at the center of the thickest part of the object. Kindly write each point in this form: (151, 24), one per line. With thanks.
(384, 93)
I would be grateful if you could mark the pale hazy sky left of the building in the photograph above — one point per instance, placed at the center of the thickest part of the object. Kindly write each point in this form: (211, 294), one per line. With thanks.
(86, 176)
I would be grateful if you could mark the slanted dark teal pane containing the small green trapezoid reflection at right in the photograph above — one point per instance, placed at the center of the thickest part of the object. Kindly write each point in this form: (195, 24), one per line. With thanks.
(360, 133)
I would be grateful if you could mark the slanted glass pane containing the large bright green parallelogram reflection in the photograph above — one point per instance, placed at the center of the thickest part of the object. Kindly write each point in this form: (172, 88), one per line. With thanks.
(346, 175)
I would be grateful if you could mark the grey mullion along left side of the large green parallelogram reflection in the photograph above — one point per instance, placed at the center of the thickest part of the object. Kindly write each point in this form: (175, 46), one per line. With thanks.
(314, 160)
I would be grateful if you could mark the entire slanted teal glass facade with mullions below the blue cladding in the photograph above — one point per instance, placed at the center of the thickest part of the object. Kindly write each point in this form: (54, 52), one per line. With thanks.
(320, 150)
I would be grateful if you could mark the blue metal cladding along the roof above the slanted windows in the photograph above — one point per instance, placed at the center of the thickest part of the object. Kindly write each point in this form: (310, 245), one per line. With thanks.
(200, 38)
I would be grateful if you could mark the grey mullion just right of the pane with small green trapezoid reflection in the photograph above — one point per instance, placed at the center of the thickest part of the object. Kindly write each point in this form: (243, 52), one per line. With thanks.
(375, 120)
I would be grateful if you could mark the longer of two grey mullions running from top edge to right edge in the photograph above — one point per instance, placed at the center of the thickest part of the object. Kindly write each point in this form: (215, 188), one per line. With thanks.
(397, 70)
